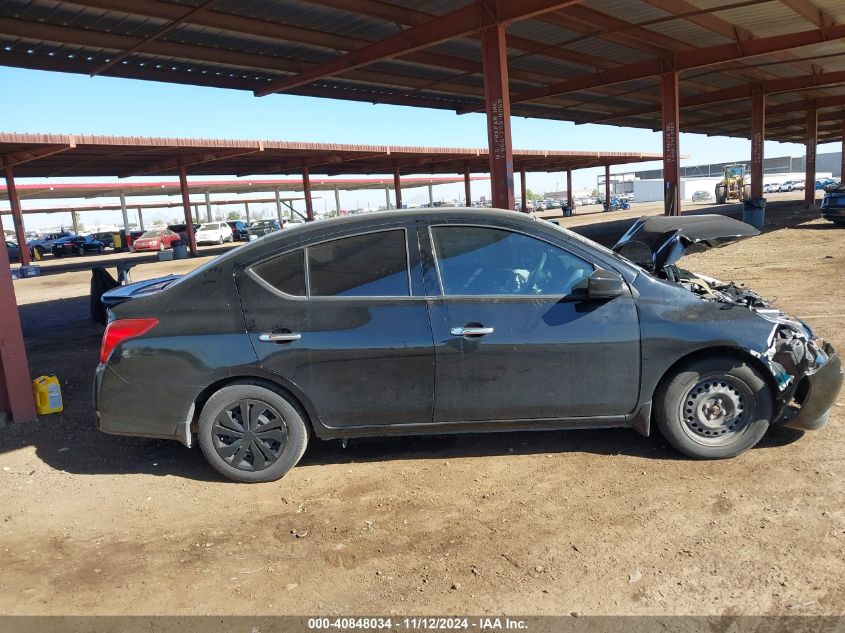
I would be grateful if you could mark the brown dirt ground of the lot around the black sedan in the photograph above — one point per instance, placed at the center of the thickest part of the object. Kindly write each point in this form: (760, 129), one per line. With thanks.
(593, 522)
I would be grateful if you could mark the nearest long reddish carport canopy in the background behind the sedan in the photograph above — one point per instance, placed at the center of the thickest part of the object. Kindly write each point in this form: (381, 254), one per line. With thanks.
(60, 155)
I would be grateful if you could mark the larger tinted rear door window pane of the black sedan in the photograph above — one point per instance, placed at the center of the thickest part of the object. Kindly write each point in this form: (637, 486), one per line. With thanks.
(370, 265)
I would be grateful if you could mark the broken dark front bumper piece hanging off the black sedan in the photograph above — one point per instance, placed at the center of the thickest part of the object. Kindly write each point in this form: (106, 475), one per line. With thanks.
(818, 393)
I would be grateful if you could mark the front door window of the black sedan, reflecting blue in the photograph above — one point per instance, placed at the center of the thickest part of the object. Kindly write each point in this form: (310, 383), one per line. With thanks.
(475, 261)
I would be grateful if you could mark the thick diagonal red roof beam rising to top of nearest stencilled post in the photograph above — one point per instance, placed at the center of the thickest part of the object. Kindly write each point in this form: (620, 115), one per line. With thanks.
(455, 24)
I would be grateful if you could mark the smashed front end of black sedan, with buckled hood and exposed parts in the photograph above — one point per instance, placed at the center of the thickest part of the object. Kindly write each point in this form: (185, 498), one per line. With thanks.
(805, 369)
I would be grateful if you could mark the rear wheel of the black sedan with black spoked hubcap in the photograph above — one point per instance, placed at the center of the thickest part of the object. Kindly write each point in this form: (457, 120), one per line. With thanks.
(251, 432)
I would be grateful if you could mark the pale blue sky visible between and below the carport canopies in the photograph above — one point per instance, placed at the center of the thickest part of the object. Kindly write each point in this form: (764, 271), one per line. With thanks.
(37, 101)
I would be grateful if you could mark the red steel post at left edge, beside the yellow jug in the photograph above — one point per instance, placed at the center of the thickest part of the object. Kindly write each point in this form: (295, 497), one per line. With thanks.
(15, 387)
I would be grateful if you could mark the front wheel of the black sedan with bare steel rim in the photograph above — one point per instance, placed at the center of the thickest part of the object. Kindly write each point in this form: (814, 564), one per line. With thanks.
(714, 408)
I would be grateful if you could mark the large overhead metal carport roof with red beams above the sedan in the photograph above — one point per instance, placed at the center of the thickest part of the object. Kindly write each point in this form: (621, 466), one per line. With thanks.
(582, 61)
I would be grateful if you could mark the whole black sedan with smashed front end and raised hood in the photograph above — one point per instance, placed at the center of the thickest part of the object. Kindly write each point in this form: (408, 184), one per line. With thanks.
(447, 321)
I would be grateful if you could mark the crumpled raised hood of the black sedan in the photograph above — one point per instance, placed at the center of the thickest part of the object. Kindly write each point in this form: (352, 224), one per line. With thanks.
(659, 241)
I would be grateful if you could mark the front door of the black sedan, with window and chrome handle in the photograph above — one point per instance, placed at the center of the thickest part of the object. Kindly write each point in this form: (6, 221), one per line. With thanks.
(516, 337)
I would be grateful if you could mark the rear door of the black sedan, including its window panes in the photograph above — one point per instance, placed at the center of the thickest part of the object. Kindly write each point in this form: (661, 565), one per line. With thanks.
(345, 320)
